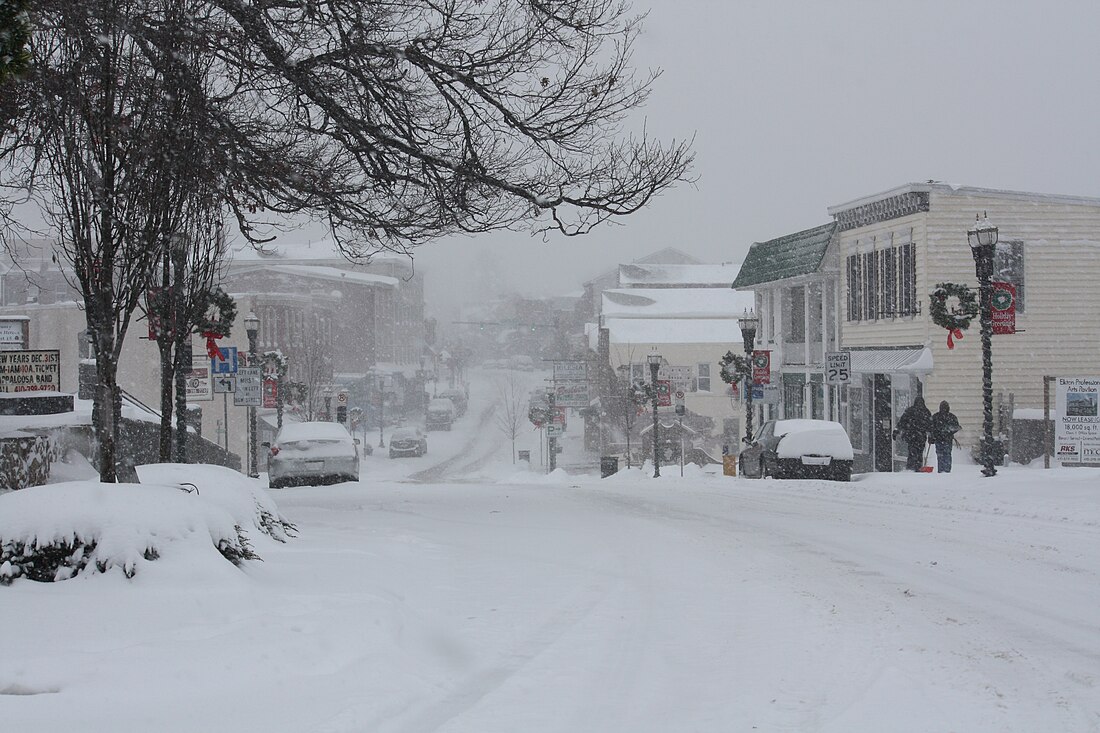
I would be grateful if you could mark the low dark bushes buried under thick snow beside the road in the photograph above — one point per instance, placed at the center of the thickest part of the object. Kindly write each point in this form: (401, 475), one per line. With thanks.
(196, 516)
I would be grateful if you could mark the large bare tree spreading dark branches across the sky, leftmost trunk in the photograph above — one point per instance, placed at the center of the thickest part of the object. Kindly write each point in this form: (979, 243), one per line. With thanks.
(394, 123)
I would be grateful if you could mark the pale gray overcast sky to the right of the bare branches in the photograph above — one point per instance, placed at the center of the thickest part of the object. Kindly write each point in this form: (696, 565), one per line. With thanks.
(800, 106)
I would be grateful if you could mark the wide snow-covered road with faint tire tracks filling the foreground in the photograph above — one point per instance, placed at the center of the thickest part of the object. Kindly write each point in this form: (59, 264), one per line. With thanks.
(569, 604)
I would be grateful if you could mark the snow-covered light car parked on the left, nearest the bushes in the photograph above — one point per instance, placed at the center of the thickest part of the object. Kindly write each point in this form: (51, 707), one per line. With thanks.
(310, 454)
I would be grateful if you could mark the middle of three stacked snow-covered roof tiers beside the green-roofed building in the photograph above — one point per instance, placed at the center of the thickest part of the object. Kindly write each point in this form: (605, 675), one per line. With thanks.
(675, 303)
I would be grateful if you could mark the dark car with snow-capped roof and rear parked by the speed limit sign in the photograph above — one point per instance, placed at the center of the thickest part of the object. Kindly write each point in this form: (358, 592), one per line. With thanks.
(799, 450)
